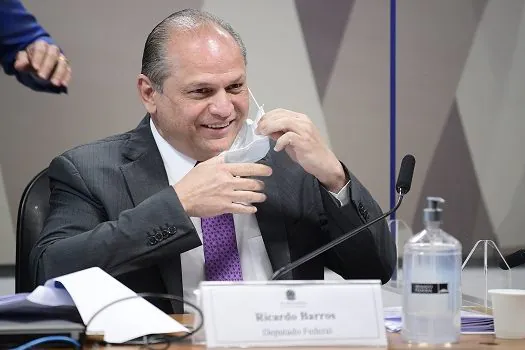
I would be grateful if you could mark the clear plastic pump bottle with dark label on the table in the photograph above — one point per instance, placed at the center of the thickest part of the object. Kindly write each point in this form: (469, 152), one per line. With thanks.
(432, 282)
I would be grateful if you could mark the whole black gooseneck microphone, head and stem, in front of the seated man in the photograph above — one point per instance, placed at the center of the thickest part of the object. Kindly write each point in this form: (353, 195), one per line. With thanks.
(403, 184)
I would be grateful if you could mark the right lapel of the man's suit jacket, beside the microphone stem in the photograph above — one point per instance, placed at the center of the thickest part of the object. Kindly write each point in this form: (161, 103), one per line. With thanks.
(271, 221)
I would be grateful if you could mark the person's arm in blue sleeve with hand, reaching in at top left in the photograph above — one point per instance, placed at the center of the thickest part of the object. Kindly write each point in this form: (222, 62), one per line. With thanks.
(28, 51)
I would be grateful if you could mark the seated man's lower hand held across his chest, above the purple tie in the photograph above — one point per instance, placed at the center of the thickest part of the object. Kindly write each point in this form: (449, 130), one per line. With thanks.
(212, 188)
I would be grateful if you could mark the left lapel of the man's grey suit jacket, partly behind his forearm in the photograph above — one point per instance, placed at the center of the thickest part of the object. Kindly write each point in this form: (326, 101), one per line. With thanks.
(145, 175)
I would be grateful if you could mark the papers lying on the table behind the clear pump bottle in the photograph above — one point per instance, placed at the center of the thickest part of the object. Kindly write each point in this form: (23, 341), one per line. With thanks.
(471, 322)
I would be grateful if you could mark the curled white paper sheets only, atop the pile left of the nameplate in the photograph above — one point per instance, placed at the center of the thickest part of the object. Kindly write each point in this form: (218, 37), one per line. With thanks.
(93, 288)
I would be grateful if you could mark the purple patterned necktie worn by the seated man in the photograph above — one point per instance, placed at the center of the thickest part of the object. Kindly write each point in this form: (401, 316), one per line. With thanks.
(221, 257)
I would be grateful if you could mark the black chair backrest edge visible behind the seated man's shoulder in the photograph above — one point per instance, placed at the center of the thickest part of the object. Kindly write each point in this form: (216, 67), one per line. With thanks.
(32, 212)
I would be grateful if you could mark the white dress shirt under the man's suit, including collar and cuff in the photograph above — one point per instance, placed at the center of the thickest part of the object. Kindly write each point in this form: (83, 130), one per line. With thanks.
(255, 263)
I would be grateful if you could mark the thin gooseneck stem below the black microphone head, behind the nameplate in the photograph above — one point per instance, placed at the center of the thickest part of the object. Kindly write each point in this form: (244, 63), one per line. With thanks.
(287, 268)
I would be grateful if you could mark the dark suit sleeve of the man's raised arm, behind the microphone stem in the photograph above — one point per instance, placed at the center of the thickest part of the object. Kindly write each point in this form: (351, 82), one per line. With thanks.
(371, 254)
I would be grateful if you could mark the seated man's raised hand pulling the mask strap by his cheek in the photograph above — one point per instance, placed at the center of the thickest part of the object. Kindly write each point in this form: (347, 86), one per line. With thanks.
(298, 136)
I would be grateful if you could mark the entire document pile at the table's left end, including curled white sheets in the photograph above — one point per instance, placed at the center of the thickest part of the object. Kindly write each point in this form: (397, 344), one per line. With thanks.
(83, 294)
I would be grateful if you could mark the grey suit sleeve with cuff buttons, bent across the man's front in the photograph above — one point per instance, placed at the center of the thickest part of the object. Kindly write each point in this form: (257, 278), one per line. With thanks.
(77, 234)
